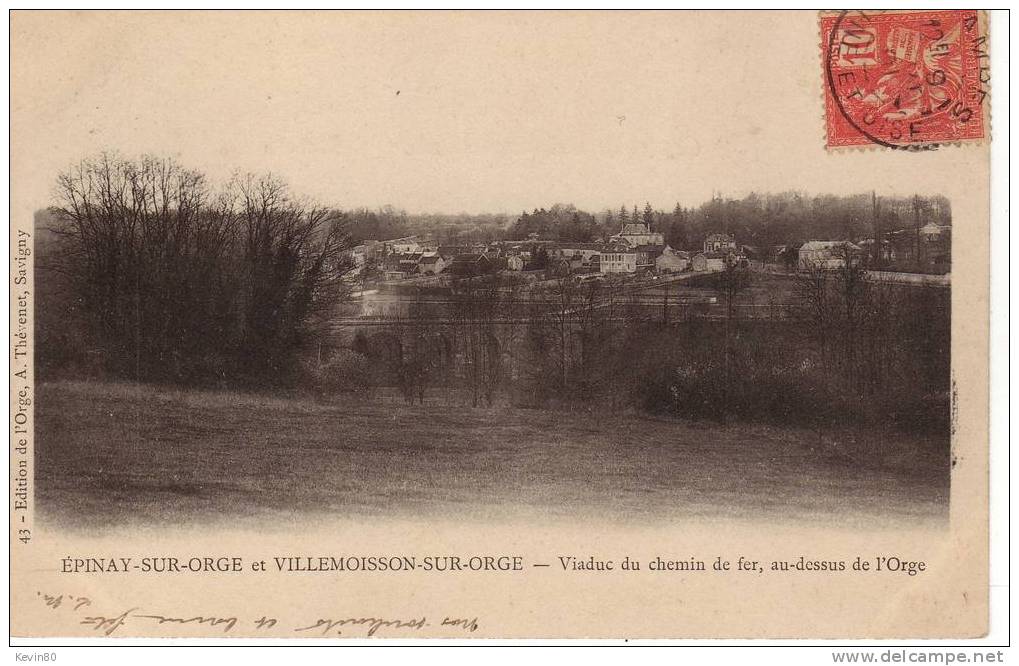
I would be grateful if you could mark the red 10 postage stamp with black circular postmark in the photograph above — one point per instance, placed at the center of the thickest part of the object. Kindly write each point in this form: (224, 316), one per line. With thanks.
(905, 80)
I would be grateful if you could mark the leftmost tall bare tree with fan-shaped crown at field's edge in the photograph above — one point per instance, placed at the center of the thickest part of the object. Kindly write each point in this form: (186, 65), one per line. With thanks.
(143, 242)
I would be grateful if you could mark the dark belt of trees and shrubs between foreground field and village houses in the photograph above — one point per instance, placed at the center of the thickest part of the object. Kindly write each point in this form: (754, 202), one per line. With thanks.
(848, 352)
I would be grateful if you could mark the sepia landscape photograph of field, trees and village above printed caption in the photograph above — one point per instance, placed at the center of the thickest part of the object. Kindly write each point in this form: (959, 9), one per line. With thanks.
(208, 354)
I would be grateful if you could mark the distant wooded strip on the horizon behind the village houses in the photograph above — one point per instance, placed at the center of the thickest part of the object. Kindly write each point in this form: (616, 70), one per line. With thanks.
(758, 219)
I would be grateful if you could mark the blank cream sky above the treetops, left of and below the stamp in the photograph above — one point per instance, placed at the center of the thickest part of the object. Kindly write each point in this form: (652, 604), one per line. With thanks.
(447, 113)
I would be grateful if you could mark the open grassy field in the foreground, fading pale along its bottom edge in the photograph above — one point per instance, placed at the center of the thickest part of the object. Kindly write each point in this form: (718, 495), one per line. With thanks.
(116, 455)
